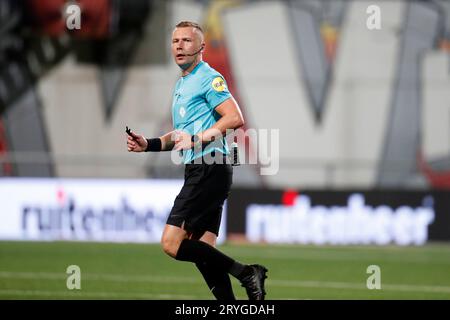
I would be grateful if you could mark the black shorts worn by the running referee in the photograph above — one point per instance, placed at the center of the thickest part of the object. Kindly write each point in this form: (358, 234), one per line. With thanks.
(198, 206)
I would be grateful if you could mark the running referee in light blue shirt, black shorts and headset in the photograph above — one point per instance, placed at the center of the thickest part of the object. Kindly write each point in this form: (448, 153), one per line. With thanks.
(202, 111)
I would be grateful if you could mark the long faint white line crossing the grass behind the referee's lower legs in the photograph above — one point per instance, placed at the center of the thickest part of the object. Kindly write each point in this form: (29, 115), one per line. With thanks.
(270, 282)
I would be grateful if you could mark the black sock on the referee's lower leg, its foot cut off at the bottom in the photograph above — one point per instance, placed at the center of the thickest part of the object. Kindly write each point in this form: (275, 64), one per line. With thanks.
(218, 282)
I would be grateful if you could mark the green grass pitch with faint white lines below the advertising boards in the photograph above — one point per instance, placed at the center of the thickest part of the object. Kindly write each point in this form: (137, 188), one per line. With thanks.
(37, 270)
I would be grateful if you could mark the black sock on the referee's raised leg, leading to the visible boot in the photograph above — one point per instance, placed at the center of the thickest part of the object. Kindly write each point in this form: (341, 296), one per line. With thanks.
(200, 252)
